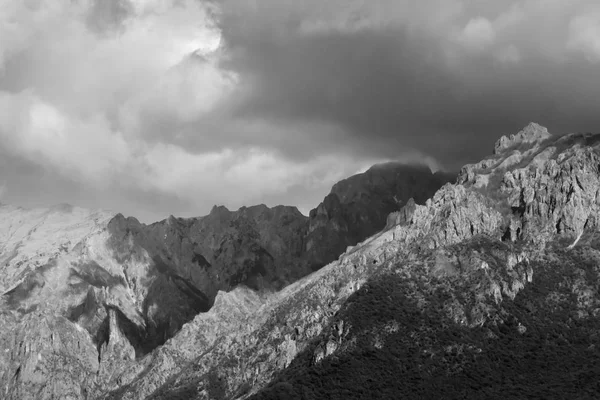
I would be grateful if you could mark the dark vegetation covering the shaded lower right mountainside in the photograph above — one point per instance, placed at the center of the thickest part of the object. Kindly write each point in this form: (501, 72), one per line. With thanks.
(404, 341)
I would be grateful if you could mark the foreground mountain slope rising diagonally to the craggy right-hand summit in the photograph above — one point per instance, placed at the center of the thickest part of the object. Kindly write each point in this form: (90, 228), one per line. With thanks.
(489, 290)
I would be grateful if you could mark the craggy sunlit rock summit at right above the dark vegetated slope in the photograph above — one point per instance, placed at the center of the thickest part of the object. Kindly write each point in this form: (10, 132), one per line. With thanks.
(551, 189)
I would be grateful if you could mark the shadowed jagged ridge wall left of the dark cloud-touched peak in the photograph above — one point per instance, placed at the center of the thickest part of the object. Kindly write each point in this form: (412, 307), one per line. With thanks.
(190, 260)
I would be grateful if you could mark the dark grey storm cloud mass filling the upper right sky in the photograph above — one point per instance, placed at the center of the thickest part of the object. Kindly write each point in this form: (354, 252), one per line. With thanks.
(444, 78)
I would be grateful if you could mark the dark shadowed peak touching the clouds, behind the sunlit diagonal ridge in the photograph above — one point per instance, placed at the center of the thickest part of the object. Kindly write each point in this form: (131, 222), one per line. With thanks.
(358, 207)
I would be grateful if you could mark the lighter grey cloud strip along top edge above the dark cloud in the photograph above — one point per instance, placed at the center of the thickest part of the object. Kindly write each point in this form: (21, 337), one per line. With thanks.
(532, 26)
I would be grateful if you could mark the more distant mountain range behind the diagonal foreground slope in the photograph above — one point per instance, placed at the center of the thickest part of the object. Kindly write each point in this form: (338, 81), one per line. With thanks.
(91, 299)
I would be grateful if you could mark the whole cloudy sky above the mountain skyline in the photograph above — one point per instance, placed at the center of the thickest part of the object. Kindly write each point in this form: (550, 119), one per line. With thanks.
(160, 107)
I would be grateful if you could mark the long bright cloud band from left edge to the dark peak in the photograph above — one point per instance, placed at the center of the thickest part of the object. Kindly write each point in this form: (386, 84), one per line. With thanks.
(91, 153)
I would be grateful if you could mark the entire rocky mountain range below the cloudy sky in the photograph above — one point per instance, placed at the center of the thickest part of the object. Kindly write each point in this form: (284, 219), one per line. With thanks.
(487, 289)
